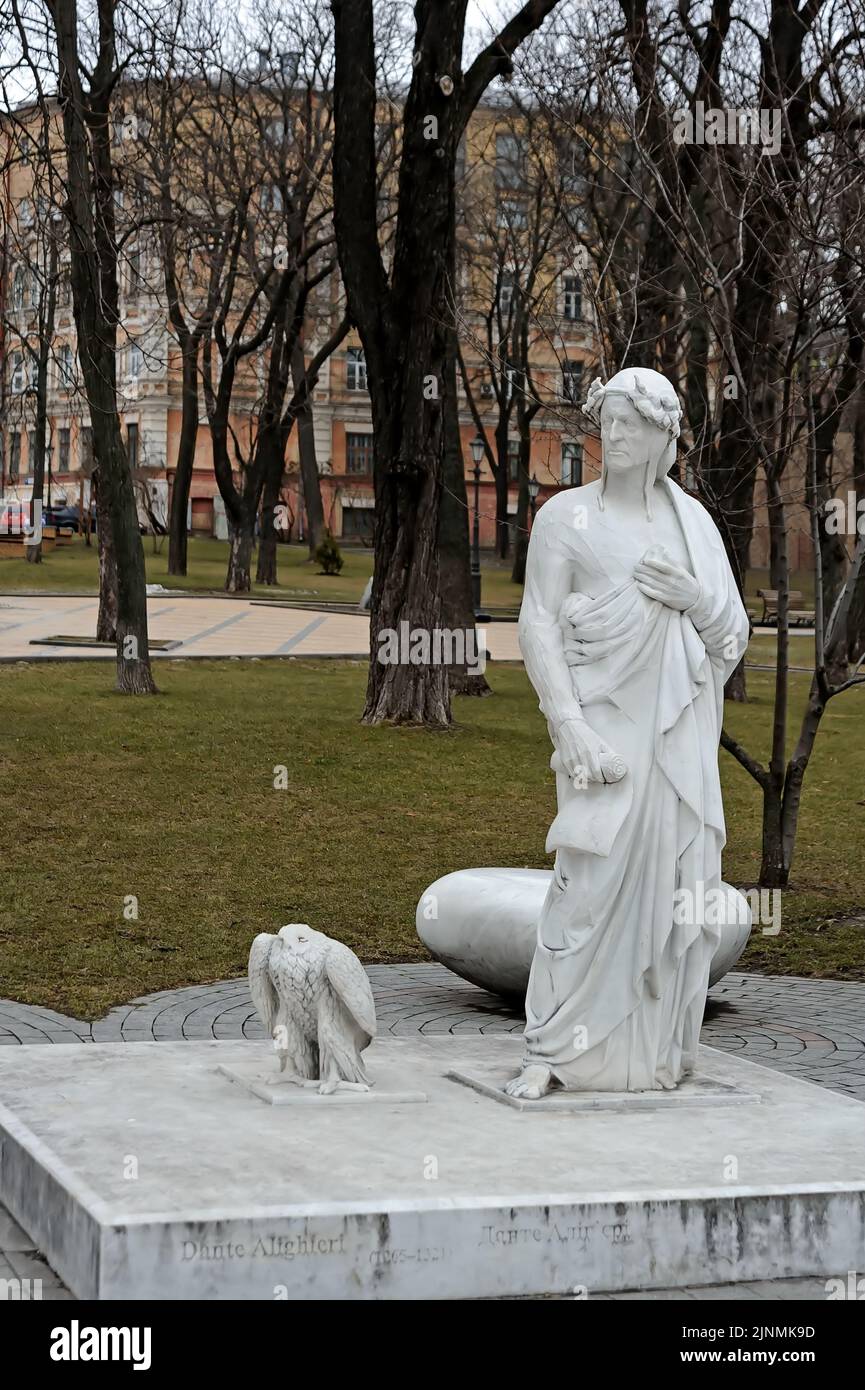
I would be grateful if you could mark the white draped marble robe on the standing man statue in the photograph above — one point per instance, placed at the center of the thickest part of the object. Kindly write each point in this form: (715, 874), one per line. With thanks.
(620, 978)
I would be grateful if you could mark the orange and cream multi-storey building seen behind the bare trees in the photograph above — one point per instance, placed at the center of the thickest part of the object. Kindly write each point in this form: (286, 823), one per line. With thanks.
(149, 363)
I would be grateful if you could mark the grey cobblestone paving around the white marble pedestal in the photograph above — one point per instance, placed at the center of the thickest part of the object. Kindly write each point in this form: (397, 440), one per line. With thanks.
(813, 1029)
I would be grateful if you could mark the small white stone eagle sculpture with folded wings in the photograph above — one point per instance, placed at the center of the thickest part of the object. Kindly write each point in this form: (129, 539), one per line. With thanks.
(315, 1000)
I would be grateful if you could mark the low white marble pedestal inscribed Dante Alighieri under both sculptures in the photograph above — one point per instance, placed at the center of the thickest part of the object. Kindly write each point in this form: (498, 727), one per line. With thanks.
(143, 1172)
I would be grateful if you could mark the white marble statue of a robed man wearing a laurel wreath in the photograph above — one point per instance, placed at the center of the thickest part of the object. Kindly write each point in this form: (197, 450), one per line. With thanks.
(629, 629)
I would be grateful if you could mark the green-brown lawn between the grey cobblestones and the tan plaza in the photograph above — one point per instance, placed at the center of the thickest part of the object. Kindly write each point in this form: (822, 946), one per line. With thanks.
(173, 801)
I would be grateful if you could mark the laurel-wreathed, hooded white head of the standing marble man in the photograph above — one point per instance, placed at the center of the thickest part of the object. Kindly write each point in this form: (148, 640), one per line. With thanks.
(638, 414)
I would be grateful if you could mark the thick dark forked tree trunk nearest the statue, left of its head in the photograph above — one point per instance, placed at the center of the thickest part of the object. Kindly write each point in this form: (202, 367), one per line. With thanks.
(403, 316)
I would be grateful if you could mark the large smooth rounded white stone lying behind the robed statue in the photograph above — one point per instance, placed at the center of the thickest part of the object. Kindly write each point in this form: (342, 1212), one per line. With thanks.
(482, 925)
